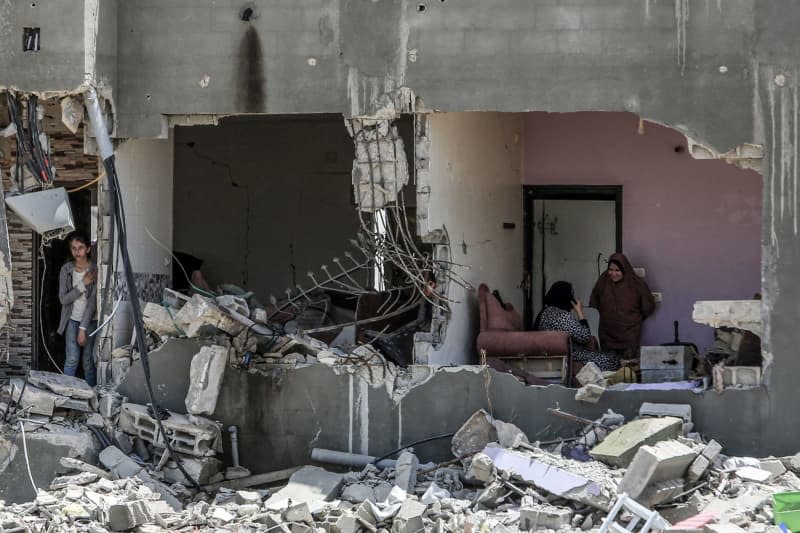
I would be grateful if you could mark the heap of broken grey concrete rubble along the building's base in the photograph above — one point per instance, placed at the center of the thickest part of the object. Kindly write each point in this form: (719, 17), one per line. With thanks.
(654, 466)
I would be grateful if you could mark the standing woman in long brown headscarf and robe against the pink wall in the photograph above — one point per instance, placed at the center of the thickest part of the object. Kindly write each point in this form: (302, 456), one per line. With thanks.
(624, 300)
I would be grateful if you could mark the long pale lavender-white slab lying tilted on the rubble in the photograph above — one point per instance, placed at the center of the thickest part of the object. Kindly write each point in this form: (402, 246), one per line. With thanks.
(547, 477)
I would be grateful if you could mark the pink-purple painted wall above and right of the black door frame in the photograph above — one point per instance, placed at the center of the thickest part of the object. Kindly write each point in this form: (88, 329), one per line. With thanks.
(695, 225)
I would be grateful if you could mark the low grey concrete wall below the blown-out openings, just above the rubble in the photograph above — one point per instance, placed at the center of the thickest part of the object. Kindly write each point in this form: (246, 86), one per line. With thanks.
(282, 418)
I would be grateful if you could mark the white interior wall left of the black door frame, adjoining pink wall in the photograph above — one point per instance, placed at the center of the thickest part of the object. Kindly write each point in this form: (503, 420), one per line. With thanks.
(475, 177)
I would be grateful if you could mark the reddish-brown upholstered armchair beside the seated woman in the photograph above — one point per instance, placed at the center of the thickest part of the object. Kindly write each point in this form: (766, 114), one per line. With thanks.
(538, 357)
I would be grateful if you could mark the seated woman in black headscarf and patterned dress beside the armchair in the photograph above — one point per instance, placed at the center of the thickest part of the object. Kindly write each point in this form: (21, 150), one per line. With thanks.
(556, 316)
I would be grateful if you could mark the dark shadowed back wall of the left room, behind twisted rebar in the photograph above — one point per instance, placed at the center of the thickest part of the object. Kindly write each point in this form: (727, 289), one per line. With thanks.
(263, 202)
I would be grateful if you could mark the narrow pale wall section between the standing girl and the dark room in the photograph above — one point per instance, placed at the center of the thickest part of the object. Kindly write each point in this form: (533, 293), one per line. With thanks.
(144, 167)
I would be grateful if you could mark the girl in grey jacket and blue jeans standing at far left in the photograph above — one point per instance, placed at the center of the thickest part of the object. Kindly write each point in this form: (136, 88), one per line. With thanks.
(76, 291)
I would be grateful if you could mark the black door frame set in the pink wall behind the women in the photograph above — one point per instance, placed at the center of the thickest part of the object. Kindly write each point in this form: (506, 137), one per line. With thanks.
(532, 193)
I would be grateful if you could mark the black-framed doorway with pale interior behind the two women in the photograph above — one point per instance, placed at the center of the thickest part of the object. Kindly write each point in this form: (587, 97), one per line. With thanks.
(569, 234)
